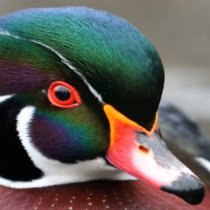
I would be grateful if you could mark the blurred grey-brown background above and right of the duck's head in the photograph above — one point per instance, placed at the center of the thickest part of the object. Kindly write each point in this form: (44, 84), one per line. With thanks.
(180, 30)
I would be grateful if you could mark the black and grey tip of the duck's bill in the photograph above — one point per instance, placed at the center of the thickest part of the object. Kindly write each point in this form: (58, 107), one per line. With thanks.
(189, 188)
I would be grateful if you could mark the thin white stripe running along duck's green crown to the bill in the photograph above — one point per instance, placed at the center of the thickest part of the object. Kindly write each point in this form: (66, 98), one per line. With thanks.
(63, 59)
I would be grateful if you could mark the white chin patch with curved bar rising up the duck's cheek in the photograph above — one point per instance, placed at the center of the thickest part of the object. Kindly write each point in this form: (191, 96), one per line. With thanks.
(55, 172)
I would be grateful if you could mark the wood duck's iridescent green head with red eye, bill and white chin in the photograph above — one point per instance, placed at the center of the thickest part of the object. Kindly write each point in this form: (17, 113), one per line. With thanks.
(80, 91)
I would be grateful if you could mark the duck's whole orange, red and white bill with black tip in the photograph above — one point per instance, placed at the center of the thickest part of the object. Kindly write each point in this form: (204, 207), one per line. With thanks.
(143, 154)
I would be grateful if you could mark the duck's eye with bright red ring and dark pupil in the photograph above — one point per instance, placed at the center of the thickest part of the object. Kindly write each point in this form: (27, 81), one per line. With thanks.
(63, 95)
